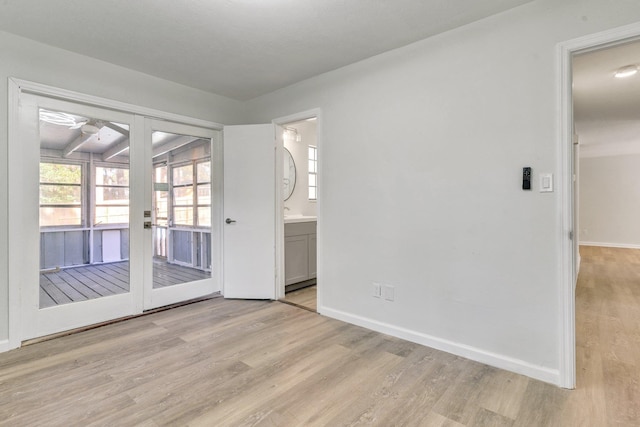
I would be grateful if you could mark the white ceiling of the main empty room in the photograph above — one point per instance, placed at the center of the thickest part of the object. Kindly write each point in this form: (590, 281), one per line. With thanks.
(237, 48)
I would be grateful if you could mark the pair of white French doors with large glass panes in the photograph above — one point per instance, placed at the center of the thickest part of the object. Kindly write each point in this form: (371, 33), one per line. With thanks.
(118, 214)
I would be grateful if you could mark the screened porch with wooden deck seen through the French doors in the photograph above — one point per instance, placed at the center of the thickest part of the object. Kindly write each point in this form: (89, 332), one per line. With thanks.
(84, 208)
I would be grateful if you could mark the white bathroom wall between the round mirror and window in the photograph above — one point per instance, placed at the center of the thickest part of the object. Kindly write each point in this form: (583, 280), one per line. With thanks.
(299, 201)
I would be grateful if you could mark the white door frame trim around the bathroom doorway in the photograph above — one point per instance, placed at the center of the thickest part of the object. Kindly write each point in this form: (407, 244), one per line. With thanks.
(279, 172)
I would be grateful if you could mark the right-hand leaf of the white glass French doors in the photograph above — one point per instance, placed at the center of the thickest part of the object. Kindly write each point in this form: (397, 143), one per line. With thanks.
(181, 213)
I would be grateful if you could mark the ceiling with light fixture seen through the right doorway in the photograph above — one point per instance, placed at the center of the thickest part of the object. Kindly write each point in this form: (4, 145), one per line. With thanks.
(607, 109)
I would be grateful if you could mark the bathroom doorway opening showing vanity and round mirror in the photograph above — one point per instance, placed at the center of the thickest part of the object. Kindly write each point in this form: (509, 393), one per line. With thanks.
(298, 200)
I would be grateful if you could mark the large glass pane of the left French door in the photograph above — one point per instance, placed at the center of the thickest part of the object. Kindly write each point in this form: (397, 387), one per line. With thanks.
(83, 208)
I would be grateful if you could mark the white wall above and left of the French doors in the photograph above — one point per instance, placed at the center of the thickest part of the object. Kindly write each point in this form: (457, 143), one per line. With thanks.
(28, 60)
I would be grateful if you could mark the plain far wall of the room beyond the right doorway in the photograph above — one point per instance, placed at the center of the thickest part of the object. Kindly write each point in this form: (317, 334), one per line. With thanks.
(610, 201)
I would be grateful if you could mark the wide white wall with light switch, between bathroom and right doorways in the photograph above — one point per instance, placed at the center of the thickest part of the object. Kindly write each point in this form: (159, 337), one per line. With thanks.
(422, 152)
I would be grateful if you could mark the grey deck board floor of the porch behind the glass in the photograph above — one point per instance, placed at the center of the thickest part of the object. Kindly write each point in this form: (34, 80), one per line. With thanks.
(94, 281)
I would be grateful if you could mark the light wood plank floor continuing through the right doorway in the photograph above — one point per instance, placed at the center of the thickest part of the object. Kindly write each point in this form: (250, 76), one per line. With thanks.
(228, 362)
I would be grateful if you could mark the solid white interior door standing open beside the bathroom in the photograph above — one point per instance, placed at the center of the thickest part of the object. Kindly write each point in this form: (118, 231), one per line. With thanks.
(249, 212)
